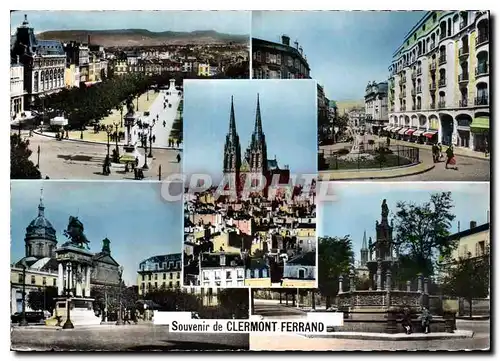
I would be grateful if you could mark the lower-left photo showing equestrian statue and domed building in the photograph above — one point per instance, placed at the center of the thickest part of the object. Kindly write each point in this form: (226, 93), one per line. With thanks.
(103, 261)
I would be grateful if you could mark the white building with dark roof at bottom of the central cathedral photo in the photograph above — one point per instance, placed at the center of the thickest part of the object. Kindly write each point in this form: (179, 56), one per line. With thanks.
(221, 270)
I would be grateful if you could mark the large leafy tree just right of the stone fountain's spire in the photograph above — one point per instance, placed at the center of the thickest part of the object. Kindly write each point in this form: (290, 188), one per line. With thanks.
(422, 232)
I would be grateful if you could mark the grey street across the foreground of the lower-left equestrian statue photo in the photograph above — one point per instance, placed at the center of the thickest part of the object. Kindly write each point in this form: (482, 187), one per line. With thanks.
(145, 337)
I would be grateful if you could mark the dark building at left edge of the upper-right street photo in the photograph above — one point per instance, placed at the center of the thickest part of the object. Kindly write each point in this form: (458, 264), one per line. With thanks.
(278, 60)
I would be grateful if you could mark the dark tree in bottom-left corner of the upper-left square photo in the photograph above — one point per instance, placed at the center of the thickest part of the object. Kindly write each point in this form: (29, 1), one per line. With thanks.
(21, 167)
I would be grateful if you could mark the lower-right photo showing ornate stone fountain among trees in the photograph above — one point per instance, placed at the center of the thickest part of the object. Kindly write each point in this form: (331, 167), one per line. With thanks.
(407, 265)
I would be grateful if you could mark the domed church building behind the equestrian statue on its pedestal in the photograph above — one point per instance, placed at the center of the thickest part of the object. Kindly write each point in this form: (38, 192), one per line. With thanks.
(41, 264)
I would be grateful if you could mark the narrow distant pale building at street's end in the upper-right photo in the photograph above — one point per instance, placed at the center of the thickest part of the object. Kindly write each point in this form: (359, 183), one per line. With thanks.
(376, 106)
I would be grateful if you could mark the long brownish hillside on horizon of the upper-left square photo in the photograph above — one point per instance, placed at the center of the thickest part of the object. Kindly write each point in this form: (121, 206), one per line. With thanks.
(141, 37)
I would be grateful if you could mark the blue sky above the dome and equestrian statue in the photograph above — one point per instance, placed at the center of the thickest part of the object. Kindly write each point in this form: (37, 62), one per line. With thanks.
(137, 221)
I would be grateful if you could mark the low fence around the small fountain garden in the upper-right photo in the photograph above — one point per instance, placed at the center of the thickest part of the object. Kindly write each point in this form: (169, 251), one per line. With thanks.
(370, 156)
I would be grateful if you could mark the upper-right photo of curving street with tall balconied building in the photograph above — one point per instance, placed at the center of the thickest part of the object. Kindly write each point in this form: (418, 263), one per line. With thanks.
(409, 101)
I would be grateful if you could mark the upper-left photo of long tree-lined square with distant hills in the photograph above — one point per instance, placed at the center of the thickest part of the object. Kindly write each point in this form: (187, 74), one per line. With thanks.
(102, 99)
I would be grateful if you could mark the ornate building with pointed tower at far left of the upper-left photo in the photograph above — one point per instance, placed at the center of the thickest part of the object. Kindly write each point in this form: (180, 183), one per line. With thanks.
(44, 62)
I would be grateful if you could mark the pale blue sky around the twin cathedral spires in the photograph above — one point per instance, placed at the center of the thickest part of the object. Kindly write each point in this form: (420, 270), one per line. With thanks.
(288, 113)
